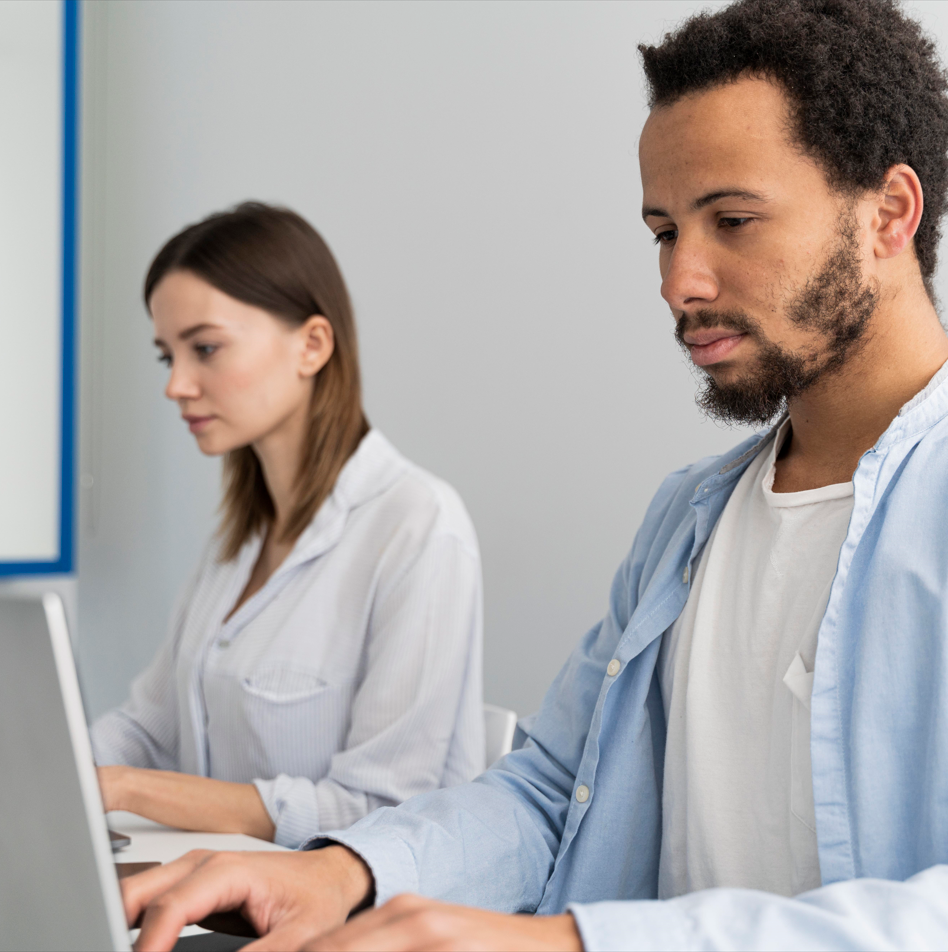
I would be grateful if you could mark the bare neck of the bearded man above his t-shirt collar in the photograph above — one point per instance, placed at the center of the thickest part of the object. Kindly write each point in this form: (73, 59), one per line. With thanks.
(839, 419)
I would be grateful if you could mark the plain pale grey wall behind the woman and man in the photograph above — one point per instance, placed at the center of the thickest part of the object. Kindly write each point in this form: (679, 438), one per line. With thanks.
(473, 165)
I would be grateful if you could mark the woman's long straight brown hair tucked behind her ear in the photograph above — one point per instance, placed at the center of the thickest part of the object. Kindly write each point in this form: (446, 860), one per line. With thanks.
(273, 259)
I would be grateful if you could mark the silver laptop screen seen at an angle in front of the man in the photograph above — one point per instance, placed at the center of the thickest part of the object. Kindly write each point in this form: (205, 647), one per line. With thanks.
(58, 886)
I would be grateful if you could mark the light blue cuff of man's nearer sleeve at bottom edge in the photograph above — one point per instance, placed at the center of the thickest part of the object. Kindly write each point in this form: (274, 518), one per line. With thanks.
(633, 925)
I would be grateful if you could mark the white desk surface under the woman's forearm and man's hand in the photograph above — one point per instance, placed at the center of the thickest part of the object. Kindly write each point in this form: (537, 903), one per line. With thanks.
(154, 843)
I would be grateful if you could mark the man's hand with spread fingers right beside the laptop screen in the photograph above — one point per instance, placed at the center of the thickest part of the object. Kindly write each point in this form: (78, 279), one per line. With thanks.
(287, 897)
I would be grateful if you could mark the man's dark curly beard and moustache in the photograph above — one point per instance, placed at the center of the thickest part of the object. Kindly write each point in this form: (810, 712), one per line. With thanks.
(835, 303)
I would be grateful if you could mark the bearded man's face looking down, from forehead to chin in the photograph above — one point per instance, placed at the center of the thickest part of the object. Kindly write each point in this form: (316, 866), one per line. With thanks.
(761, 261)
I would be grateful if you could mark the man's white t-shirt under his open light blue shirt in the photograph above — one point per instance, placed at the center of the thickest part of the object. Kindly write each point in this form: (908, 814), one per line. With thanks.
(736, 675)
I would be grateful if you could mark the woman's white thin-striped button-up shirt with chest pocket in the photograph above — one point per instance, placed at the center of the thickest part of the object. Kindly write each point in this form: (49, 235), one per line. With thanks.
(351, 680)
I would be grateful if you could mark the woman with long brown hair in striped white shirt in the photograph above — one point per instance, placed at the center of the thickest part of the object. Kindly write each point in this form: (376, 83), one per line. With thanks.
(326, 657)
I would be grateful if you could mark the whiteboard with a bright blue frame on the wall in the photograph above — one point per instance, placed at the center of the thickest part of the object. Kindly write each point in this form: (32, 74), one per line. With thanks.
(38, 79)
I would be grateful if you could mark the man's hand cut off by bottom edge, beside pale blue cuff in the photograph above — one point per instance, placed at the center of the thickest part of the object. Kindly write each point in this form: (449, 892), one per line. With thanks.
(412, 924)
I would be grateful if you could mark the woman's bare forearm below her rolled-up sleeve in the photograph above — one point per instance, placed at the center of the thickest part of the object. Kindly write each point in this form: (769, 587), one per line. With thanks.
(186, 802)
